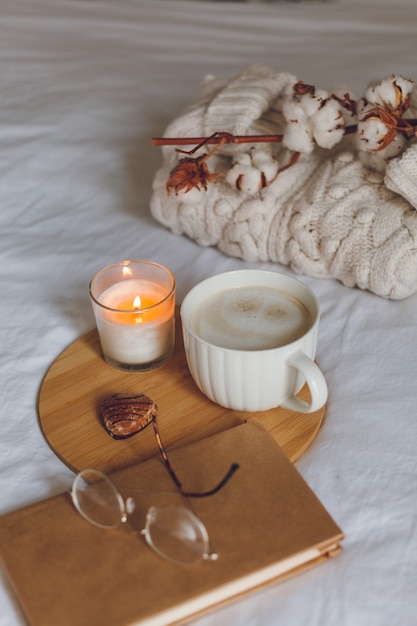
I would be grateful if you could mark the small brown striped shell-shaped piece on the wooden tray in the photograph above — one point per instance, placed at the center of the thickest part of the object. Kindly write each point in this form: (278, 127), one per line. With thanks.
(124, 415)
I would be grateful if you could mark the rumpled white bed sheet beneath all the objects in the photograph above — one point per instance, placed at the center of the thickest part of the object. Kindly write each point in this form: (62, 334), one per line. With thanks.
(84, 85)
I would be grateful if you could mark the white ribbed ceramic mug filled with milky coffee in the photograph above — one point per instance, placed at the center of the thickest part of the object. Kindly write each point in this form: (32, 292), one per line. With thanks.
(236, 350)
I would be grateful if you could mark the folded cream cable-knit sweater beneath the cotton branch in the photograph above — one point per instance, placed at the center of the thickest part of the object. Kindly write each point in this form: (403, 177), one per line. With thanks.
(327, 216)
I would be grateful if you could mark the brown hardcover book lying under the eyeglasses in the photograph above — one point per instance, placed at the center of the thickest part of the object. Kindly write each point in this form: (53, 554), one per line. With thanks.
(265, 524)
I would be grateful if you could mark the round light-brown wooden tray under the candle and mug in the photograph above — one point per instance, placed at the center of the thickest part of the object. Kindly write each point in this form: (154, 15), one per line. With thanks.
(78, 380)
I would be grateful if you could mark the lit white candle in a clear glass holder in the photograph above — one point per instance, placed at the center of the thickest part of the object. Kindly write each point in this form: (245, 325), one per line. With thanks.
(134, 308)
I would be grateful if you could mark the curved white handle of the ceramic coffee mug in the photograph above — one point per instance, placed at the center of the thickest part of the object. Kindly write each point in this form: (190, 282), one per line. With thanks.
(315, 381)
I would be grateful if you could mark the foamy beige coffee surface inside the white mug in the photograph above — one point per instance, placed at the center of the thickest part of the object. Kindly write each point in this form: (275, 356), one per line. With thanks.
(251, 318)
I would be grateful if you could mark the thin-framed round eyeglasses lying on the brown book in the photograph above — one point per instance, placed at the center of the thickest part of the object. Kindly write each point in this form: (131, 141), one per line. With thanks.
(173, 532)
